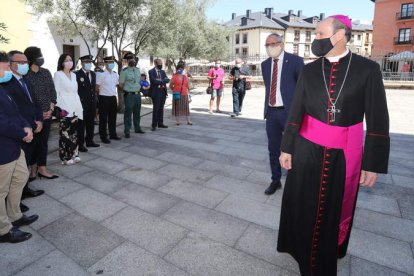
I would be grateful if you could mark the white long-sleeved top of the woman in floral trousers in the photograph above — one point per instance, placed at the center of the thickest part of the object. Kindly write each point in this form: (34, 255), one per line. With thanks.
(67, 94)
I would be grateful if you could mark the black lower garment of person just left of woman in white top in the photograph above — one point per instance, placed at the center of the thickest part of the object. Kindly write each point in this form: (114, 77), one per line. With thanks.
(41, 140)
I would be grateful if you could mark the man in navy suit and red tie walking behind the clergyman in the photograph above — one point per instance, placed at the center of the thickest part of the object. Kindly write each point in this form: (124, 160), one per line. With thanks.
(280, 74)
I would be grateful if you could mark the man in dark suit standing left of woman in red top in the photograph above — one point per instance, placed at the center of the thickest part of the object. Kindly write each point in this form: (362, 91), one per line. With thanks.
(158, 94)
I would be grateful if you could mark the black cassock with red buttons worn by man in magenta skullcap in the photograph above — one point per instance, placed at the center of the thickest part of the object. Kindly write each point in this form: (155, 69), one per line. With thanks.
(311, 229)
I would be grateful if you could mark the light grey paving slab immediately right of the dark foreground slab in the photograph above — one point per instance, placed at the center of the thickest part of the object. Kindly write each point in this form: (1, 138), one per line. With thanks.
(149, 232)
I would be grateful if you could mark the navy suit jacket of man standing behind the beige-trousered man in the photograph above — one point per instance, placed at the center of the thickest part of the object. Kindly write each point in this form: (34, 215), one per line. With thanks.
(29, 108)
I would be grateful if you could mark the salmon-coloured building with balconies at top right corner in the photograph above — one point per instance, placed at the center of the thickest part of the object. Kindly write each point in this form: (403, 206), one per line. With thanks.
(393, 27)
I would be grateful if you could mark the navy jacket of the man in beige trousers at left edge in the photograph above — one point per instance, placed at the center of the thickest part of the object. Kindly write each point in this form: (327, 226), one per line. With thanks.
(11, 128)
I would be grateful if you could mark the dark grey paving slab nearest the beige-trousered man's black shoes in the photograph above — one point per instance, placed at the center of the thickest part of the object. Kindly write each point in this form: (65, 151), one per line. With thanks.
(82, 240)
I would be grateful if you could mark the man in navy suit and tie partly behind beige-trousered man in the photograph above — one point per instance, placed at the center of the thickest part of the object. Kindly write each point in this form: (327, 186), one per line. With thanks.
(22, 93)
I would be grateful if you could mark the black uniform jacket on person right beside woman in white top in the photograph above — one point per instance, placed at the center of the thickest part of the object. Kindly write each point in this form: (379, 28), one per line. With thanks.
(86, 89)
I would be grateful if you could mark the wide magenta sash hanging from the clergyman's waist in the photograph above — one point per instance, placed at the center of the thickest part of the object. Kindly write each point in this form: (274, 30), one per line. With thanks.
(350, 140)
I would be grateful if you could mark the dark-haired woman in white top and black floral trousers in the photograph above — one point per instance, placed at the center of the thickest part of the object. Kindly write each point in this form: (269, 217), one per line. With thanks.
(70, 109)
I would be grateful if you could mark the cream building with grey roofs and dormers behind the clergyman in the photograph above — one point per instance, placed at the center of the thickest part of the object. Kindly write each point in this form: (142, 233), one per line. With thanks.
(297, 30)
